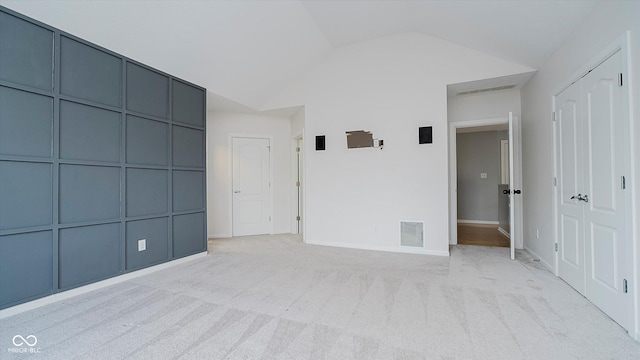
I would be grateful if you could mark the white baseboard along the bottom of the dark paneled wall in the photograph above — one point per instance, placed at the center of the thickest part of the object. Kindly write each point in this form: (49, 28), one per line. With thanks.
(17, 309)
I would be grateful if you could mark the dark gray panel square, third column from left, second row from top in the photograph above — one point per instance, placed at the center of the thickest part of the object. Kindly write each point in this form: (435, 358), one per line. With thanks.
(147, 141)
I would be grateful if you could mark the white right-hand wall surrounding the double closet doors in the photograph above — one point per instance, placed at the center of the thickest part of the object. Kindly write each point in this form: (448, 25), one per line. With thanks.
(602, 27)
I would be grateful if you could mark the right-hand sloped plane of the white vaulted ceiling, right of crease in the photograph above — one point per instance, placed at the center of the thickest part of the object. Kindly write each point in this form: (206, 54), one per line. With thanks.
(525, 31)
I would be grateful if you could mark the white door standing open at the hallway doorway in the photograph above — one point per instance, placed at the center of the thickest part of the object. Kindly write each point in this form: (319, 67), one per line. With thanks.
(515, 185)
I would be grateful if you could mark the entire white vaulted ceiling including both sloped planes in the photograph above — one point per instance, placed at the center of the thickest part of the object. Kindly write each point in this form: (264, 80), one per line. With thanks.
(248, 50)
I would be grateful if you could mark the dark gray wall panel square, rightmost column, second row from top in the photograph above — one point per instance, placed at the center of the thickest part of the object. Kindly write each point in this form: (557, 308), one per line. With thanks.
(188, 147)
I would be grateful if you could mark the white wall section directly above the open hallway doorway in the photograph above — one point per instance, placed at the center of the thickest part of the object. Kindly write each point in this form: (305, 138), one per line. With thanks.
(488, 105)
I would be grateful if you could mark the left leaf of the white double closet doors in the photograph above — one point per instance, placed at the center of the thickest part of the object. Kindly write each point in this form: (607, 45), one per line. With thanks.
(571, 266)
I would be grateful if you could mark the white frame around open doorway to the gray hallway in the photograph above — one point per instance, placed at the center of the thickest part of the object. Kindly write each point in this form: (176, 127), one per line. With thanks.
(453, 168)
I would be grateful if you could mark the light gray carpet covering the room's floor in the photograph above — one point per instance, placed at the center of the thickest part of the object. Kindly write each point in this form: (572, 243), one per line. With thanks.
(272, 297)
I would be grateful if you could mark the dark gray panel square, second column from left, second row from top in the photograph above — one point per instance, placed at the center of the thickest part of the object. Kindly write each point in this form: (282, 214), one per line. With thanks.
(89, 133)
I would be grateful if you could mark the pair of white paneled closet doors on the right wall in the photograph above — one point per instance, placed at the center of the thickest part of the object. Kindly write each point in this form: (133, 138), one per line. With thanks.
(592, 156)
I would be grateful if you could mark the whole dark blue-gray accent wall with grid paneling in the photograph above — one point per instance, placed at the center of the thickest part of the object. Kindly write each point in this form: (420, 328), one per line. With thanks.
(97, 152)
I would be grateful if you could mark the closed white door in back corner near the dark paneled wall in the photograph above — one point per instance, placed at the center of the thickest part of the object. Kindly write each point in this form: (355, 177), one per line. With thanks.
(251, 186)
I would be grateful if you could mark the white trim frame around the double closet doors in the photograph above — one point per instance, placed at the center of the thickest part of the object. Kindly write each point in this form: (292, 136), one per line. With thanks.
(622, 44)
